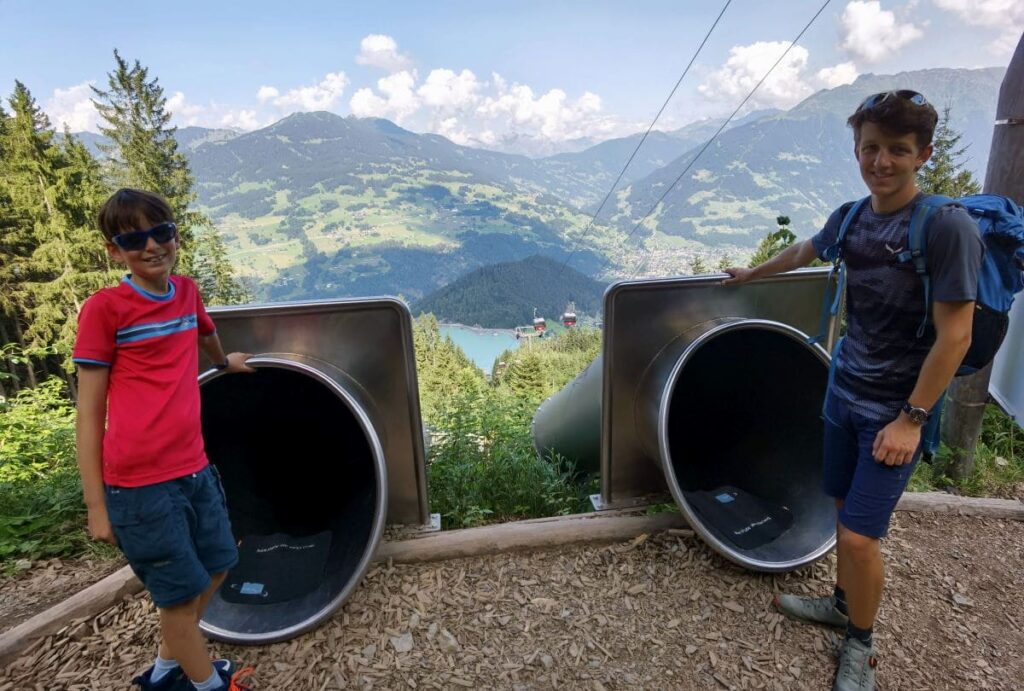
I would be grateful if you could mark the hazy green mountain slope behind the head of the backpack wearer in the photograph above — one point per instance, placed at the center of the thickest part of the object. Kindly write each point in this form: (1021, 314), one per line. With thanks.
(799, 163)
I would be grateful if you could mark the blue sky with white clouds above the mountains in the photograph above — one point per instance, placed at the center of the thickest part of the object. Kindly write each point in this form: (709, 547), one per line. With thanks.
(516, 76)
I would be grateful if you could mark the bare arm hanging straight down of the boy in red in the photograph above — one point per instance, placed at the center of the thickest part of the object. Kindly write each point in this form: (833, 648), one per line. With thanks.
(90, 428)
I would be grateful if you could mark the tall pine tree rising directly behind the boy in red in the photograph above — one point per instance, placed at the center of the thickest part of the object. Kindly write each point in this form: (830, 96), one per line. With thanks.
(144, 154)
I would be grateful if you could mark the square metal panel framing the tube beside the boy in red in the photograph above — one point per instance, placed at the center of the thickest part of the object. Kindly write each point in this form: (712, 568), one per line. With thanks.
(370, 340)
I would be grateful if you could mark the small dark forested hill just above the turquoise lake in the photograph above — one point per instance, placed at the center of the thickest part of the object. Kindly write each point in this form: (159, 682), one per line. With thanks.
(502, 296)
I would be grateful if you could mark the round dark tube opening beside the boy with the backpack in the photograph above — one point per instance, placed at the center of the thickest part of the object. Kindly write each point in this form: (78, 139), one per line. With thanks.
(745, 445)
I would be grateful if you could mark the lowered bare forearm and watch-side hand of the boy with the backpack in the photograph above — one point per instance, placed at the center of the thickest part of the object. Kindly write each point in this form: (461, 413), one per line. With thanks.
(898, 442)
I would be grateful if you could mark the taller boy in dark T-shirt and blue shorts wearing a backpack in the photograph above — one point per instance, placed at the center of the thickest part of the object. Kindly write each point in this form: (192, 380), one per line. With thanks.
(886, 379)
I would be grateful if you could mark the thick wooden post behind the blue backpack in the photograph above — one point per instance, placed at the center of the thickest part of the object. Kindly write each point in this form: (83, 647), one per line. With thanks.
(968, 396)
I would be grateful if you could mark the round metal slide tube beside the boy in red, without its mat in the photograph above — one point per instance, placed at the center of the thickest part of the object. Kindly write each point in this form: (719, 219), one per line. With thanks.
(298, 451)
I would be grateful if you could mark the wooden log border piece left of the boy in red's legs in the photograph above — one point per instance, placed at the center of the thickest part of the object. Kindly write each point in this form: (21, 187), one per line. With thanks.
(82, 606)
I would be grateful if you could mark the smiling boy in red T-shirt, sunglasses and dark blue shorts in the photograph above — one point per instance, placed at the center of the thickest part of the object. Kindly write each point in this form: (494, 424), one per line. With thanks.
(147, 482)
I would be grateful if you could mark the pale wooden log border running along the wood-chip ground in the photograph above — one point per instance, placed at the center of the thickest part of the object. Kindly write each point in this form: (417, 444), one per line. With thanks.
(521, 536)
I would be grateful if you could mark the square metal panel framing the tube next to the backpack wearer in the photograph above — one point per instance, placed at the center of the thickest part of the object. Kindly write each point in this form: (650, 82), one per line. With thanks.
(643, 319)
